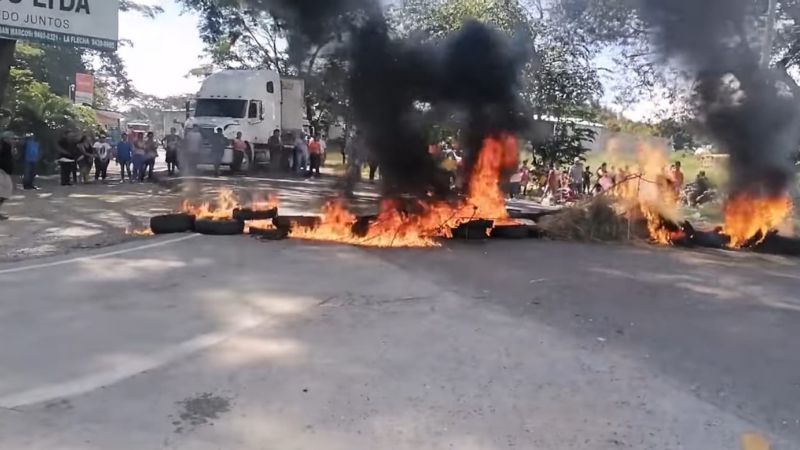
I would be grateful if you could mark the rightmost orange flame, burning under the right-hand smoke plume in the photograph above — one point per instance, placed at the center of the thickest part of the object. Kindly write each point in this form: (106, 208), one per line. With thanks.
(749, 217)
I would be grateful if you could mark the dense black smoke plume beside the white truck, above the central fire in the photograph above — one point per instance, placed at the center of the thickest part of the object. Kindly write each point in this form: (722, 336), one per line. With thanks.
(396, 86)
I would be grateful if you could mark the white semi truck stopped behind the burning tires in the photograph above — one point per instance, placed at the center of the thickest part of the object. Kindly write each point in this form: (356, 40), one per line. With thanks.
(253, 102)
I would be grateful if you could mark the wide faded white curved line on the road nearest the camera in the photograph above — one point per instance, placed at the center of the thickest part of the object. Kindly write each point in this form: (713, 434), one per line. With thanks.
(134, 366)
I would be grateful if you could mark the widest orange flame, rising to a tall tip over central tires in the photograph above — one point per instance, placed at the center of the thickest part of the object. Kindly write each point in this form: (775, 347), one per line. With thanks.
(395, 228)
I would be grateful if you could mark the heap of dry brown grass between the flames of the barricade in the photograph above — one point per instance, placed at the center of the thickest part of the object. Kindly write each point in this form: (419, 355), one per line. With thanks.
(592, 220)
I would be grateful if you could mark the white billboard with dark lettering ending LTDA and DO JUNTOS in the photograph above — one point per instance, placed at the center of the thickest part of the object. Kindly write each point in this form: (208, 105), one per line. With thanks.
(77, 23)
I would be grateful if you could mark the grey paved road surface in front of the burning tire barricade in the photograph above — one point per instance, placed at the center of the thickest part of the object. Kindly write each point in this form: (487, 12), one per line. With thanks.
(204, 343)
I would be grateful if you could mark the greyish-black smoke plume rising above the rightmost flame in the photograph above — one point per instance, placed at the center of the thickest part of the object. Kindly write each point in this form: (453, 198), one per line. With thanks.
(747, 109)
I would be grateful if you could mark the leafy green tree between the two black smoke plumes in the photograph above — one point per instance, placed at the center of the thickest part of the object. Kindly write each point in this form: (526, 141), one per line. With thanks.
(559, 82)
